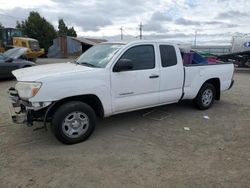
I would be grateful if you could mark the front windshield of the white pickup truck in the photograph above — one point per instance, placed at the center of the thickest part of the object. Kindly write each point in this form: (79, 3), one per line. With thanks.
(98, 55)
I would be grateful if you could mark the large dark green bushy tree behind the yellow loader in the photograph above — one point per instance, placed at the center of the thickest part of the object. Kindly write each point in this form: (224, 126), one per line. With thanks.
(39, 28)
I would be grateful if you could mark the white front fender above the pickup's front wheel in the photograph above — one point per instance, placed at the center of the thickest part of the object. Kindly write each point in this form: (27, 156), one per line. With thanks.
(57, 89)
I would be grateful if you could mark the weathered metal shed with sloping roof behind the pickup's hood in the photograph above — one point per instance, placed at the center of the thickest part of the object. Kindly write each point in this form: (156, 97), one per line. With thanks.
(67, 46)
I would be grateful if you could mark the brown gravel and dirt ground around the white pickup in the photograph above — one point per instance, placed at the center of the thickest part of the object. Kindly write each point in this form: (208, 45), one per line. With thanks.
(131, 150)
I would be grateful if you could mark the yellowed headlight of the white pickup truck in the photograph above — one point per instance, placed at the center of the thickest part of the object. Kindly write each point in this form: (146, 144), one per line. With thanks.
(27, 90)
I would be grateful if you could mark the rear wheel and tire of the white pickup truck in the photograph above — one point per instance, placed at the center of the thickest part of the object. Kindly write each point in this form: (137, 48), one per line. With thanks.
(205, 98)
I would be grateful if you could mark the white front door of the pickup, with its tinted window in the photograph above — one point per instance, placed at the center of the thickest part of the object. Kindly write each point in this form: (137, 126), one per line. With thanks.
(139, 87)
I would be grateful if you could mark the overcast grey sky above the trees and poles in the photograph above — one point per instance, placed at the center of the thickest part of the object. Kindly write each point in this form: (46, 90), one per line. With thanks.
(215, 20)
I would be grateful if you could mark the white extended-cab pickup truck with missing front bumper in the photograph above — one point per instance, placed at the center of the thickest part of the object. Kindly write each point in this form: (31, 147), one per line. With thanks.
(112, 78)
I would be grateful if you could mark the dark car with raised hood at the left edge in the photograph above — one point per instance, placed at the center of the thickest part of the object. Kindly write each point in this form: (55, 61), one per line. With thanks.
(12, 60)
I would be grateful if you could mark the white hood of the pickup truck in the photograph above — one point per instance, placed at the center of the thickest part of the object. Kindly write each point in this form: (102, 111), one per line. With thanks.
(44, 71)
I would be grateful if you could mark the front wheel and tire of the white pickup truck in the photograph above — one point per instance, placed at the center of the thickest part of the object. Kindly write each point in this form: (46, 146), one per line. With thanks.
(73, 122)
